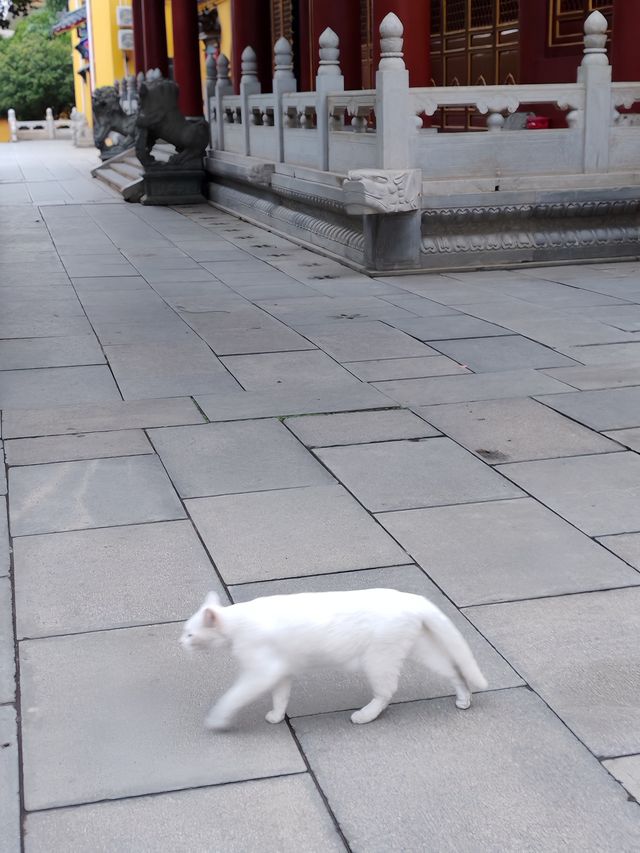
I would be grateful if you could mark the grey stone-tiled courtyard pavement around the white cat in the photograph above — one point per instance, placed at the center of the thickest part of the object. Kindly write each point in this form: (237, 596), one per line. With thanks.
(189, 402)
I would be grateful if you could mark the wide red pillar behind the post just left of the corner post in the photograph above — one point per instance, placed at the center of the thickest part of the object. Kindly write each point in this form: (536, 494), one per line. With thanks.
(343, 17)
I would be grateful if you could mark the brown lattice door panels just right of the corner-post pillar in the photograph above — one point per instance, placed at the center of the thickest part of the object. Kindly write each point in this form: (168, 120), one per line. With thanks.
(473, 42)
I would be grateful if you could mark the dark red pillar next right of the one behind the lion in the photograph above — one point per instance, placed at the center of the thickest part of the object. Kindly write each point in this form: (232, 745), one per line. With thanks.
(251, 27)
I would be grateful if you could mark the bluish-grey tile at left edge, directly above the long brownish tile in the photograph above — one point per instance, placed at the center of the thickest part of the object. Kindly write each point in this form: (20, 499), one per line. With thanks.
(56, 385)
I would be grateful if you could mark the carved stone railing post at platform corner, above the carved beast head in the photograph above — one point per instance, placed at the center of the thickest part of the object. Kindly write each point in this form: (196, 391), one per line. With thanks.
(392, 98)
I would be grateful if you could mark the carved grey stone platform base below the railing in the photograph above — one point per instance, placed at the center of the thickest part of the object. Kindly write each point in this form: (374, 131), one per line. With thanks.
(465, 229)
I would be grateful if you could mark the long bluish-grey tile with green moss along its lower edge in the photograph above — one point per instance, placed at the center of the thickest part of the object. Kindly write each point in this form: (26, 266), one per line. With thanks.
(291, 401)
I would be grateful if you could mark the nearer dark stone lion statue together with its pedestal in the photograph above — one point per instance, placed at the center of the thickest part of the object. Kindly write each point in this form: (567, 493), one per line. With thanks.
(181, 179)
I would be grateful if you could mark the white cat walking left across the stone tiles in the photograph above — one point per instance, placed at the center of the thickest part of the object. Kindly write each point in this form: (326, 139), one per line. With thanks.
(374, 630)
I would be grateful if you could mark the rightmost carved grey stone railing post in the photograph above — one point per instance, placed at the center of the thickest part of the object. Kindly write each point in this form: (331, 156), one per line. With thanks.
(595, 74)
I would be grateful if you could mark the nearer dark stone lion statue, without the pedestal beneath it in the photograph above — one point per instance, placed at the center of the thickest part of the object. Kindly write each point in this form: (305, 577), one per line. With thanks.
(160, 118)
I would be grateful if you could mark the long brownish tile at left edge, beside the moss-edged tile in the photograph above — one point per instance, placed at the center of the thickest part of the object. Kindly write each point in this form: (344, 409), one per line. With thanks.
(128, 414)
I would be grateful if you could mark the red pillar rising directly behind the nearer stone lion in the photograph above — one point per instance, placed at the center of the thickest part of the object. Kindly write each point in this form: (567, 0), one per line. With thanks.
(186, 56)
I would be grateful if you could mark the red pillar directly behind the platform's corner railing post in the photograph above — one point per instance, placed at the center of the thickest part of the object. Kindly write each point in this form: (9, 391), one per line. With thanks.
(416, 19)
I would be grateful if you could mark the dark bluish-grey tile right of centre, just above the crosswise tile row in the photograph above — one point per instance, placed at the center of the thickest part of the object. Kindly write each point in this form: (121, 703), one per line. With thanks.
(513, 352)
